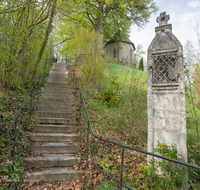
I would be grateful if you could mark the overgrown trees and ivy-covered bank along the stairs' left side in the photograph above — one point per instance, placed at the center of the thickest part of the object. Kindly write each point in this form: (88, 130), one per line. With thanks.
(24, 29)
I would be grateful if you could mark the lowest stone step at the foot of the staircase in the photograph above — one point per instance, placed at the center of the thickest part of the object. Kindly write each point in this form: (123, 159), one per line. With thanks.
(55, 174)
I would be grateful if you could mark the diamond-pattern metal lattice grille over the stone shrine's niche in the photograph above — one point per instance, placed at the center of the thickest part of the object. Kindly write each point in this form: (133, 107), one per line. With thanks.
(165, 67)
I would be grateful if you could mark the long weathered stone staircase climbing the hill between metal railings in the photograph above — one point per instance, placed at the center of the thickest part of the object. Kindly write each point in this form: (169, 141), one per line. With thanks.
(54, 136)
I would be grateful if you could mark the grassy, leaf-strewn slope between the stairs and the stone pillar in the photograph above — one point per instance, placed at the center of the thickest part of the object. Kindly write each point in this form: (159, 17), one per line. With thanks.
(124, 121)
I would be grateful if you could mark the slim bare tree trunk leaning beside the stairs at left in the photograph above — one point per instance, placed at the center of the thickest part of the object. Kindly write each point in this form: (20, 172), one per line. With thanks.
(44, 40)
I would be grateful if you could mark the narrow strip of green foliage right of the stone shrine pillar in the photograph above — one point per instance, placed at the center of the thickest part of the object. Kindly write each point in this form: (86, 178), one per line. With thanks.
(193, 122)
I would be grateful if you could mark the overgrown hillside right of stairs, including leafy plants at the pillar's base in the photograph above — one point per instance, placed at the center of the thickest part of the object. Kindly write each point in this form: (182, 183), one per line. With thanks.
(117, 107)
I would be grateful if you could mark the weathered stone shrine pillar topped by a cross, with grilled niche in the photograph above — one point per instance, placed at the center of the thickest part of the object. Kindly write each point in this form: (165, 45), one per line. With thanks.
(166, 89)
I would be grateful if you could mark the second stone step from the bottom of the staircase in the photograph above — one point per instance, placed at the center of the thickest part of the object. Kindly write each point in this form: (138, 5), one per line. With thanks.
(56, 160)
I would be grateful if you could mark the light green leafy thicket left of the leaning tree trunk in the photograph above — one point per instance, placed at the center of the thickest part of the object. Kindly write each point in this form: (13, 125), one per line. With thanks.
(21, 31)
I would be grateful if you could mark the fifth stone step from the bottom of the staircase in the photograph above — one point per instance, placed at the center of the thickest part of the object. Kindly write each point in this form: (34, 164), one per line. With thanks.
(55, 128)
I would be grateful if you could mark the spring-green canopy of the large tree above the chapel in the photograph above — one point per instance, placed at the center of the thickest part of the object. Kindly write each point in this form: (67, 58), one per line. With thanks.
(105, 16)
